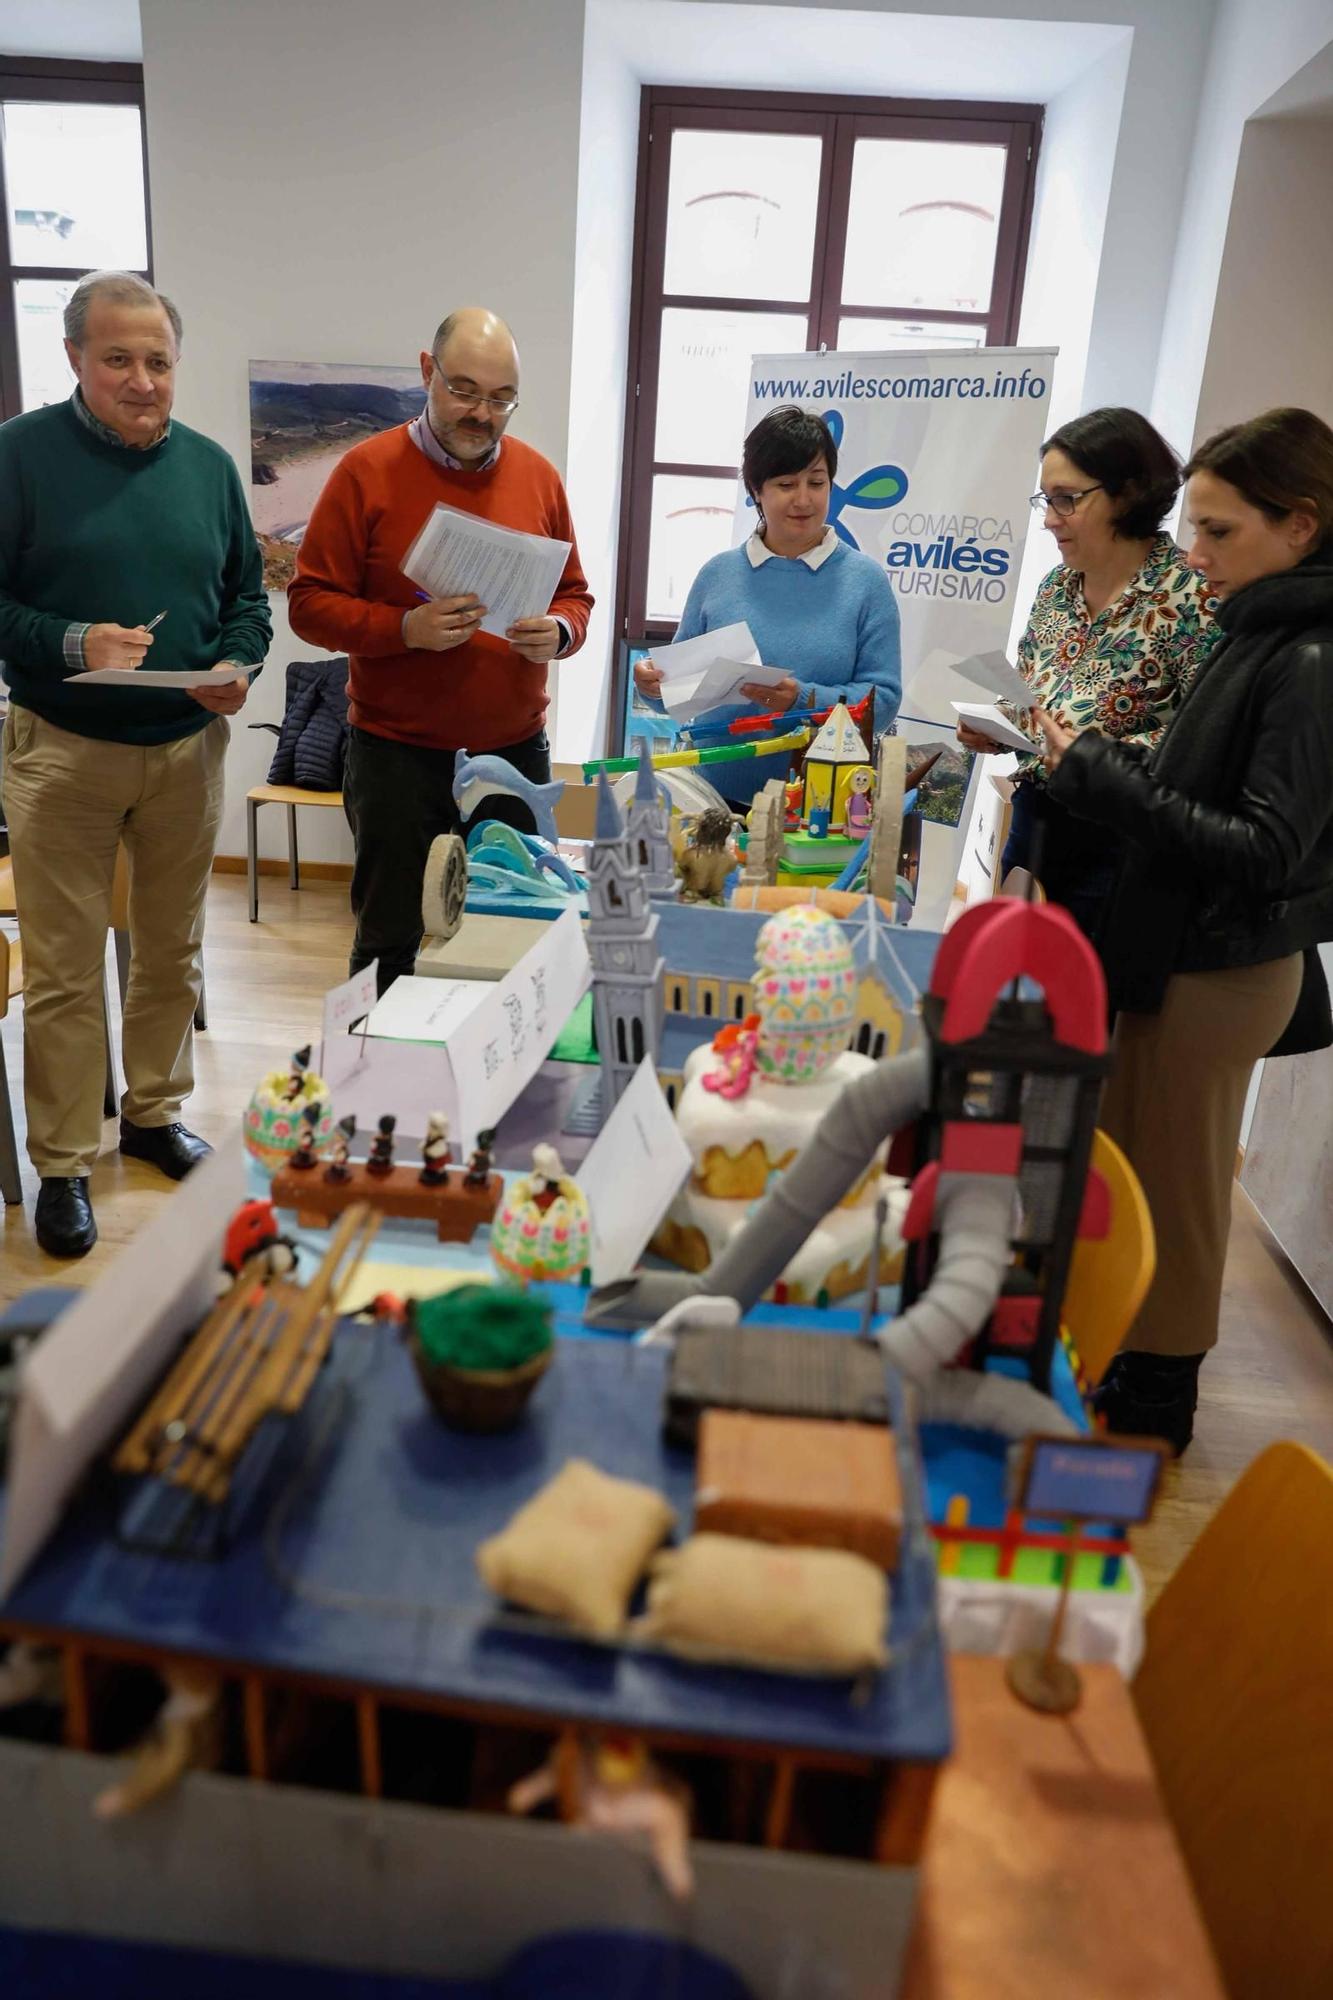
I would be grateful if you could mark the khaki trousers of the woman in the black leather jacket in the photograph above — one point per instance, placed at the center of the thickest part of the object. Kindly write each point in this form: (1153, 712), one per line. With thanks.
(1174, 1103)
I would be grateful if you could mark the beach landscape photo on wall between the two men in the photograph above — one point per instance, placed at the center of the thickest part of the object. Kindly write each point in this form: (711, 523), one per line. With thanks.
(303, 419)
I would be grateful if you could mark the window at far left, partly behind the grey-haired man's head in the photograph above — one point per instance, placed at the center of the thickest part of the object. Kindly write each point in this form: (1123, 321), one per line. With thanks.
(75, 195)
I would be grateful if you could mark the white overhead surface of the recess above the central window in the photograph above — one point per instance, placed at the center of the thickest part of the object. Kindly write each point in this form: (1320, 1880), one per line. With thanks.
(850, 49)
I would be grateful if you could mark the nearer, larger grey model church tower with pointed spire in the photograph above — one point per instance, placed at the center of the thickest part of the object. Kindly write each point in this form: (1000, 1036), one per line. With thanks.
(627, 967)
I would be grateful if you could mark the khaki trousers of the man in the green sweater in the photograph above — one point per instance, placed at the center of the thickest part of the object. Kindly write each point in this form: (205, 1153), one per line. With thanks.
(71, 801)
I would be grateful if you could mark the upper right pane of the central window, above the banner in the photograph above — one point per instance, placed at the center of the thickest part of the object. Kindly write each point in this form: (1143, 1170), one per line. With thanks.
(922, 225)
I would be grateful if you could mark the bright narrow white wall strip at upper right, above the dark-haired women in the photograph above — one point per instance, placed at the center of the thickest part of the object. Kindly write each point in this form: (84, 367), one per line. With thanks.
(1256, 49)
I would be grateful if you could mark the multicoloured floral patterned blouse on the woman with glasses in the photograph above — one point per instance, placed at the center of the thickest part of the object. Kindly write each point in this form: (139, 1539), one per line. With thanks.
(1128, 669)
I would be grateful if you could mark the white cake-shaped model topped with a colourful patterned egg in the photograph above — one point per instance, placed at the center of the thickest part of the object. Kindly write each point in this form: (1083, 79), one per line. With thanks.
(754, 1101)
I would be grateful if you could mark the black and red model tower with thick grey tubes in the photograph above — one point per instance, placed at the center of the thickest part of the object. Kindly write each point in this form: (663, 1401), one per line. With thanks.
(996, 1119)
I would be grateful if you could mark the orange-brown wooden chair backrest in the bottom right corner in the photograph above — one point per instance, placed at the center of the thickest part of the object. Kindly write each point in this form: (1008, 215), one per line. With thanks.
(1236, 1699)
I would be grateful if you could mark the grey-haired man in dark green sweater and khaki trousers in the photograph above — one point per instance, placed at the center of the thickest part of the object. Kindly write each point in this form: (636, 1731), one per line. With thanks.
(125, 539)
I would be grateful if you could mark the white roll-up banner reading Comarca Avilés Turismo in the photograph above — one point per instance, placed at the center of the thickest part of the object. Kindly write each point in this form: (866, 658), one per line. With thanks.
(938, 457)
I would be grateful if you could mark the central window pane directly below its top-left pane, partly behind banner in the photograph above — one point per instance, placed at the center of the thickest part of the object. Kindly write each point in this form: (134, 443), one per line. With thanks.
(706, 375)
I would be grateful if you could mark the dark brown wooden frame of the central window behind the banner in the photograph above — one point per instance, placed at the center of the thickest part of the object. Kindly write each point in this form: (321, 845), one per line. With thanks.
(840, 123)
